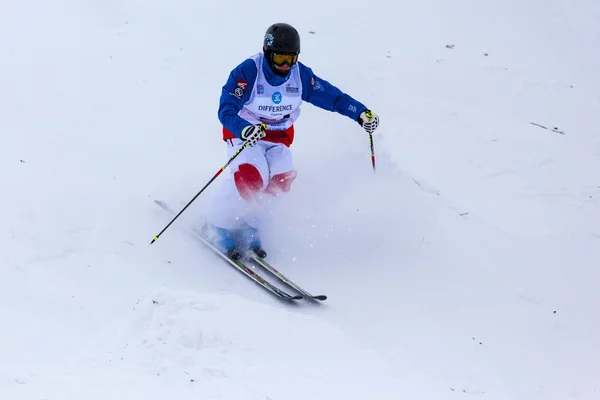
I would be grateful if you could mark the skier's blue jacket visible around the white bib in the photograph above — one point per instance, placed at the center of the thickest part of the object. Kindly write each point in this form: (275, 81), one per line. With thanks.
(315, 90)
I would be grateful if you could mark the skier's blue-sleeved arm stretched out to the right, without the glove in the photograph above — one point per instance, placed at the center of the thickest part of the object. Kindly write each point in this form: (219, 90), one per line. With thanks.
(323, 94)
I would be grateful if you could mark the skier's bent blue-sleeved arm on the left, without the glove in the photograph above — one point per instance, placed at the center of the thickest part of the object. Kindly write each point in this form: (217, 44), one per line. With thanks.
(235, 93)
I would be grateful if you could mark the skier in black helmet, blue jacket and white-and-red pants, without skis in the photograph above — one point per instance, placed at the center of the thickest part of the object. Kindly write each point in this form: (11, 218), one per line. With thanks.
(259, 104)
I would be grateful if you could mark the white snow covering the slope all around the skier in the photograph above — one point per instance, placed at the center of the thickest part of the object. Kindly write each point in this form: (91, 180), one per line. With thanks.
(465, 266)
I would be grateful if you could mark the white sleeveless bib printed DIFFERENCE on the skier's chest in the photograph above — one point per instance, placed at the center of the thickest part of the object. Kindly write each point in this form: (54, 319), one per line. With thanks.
(276, 106)
